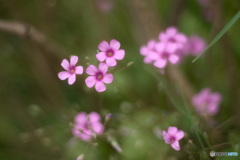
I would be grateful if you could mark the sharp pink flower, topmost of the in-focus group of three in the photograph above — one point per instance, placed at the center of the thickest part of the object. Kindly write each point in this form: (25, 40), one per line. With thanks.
(110, 52)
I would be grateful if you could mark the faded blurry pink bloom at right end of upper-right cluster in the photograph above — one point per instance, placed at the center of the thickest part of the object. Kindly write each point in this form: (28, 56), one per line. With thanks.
(195, 45)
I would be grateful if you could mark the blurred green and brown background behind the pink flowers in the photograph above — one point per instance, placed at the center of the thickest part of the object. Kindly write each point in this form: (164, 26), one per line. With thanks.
(37, 109)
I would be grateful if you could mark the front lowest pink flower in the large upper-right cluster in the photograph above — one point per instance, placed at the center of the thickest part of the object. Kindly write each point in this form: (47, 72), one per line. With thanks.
(165, 53)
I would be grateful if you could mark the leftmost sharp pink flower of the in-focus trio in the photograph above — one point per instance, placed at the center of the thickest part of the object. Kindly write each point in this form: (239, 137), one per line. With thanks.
(71, 70)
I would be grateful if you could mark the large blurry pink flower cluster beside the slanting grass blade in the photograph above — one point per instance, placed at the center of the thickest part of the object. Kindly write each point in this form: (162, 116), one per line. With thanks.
(171, 47)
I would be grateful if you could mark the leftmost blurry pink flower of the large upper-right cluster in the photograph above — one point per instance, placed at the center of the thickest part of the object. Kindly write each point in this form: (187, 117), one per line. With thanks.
(148, 51)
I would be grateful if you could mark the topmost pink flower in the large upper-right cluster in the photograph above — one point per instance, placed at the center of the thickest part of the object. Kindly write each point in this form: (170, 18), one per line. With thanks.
(172, 35)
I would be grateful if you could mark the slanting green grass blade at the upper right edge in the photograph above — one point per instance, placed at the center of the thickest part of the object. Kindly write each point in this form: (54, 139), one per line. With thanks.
(223, 31)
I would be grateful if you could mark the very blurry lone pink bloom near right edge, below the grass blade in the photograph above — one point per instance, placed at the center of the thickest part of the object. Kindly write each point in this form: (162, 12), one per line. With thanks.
(206, 102)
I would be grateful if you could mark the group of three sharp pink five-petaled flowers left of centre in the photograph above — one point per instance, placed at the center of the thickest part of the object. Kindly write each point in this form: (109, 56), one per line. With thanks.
(110, 52)
